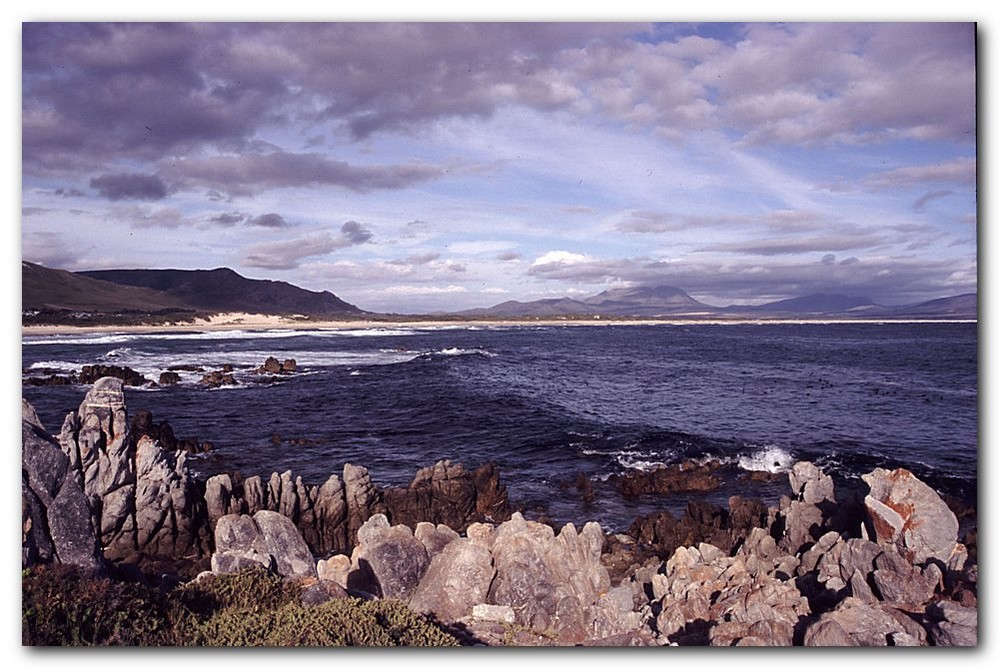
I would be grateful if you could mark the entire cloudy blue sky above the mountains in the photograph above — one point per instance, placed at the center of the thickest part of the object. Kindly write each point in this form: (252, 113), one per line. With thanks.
(417, 167)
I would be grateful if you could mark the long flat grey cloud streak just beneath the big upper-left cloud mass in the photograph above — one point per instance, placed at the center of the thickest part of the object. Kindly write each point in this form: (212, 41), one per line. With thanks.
(249, 173)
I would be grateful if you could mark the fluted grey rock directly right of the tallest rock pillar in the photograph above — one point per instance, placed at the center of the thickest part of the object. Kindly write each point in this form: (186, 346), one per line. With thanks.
(169, 511)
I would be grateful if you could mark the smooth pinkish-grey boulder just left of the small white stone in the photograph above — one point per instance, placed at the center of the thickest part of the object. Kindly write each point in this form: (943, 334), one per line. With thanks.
(457, 580)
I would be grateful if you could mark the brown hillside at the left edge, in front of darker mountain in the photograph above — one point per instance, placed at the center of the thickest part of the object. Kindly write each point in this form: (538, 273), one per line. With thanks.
(58, 290)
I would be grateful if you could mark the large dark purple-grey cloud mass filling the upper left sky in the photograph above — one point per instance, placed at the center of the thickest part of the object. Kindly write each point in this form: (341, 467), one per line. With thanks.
(91, 91)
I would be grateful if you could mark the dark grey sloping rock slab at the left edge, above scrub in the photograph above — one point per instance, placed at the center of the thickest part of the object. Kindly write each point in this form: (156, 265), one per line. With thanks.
(57, 523)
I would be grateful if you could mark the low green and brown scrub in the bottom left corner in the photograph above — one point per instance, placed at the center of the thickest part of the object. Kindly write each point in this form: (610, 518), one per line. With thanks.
(61, 606)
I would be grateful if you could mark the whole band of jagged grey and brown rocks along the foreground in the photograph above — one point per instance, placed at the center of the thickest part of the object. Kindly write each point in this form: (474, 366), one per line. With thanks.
(112, 497)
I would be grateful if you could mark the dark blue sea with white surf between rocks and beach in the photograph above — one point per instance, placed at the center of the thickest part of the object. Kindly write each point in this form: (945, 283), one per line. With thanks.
(547, 403)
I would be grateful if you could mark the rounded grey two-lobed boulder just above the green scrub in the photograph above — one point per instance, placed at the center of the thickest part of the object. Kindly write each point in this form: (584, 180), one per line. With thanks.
(267, 538)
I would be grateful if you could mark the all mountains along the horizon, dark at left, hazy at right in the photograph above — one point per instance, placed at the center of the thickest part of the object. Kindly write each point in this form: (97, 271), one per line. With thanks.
(223, 290)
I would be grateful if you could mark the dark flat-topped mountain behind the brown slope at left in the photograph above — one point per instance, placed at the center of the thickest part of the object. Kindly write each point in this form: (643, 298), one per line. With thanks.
(224, 290)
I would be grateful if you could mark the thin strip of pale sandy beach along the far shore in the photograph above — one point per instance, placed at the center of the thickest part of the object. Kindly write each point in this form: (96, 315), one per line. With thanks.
(261, 322)
